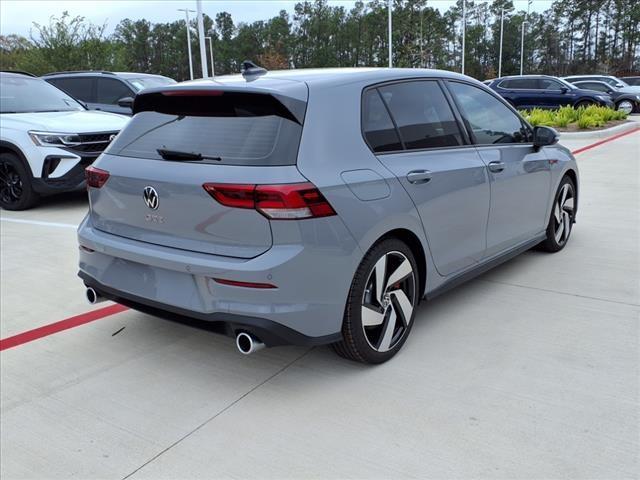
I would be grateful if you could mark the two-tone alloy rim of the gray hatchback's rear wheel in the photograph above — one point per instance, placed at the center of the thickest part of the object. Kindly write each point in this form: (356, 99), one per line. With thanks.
(388, 301)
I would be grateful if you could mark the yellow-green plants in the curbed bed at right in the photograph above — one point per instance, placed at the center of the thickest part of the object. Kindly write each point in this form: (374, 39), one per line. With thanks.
(592, 116)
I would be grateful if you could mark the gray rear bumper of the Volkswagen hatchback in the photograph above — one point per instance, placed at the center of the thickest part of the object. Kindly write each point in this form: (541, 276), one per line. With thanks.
(312, 274)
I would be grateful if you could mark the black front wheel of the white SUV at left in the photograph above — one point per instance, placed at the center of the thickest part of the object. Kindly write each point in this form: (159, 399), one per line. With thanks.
(16, 190)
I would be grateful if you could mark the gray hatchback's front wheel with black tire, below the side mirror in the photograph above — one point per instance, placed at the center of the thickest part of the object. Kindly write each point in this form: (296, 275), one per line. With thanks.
(562, 217)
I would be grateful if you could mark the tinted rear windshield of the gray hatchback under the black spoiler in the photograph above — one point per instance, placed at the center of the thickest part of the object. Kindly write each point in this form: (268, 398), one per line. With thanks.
(234, 128)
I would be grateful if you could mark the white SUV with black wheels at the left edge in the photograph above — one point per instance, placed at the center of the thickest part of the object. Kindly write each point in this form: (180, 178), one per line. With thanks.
(47, 139)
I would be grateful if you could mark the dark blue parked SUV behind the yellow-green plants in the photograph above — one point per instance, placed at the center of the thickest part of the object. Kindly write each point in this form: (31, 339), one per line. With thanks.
(542, 91)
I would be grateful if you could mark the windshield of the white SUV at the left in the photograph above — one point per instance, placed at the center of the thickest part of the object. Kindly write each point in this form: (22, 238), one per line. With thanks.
(21, 94)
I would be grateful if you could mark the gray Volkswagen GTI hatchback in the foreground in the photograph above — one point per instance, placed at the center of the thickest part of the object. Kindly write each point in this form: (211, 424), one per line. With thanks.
(318, 206)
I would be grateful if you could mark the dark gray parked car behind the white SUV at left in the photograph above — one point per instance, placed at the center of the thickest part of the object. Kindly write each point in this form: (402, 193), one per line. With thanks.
(107, 91)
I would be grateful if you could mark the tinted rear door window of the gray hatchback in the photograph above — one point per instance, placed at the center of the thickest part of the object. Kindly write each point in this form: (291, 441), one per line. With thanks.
(422, 114)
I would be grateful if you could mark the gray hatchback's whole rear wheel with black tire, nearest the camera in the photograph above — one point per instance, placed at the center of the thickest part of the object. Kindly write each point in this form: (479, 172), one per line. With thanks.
(387, 312)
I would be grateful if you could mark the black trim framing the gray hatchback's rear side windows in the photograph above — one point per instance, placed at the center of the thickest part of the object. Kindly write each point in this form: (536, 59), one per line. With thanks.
(376, 86)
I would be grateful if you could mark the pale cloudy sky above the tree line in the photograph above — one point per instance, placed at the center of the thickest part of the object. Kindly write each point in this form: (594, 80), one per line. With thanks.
(17, 16)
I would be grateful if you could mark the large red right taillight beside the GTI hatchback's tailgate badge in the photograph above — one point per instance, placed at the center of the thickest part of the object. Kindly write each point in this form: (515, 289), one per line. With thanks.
(293, 201)
